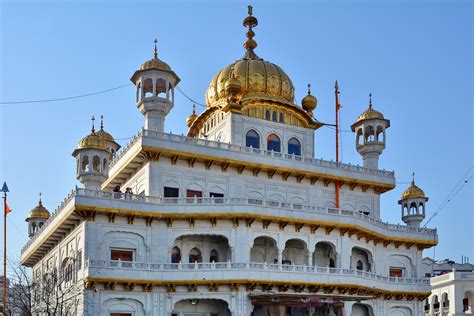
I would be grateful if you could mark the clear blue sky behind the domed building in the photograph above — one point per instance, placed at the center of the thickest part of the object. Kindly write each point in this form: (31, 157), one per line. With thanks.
(414, 56)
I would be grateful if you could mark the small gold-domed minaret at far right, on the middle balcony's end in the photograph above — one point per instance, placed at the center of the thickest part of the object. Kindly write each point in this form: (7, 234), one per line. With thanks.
(413, 203)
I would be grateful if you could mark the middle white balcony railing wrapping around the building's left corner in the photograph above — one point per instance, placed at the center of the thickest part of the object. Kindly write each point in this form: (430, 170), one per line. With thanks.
(234, 201)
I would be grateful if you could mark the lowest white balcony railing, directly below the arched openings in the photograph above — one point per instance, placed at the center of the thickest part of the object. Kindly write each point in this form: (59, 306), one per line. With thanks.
(248, 266)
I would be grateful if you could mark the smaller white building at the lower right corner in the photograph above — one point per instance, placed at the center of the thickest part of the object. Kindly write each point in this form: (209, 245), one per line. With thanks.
(452, 288)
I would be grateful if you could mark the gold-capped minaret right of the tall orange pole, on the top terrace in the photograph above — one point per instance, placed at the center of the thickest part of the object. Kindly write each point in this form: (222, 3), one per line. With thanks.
(370, 135)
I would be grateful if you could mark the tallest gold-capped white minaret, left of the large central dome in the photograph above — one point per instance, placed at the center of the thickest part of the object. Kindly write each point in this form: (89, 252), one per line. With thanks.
(155, 82)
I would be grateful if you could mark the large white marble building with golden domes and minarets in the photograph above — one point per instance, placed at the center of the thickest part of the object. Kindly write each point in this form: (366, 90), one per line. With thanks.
(235, 218)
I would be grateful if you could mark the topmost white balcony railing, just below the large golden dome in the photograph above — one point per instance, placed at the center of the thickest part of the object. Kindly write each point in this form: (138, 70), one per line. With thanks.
(249, 150)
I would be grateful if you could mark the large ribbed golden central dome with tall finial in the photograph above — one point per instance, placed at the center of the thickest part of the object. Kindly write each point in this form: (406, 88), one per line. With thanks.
(258, 78)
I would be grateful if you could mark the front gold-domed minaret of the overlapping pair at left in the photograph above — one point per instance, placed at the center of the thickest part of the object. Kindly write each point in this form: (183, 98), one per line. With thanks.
(93, 156)
